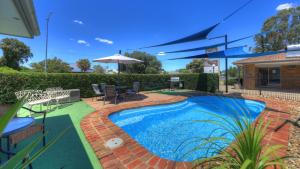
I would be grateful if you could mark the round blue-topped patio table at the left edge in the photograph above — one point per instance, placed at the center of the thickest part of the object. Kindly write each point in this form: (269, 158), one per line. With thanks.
(15, 125)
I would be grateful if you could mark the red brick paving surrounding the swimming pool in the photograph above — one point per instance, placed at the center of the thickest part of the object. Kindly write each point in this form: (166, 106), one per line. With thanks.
(98, 129)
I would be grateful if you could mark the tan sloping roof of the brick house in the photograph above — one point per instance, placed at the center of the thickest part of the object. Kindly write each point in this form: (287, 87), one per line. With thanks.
(280, 57)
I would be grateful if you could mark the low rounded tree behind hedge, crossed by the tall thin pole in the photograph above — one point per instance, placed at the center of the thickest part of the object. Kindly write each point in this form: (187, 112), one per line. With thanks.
(54, 65)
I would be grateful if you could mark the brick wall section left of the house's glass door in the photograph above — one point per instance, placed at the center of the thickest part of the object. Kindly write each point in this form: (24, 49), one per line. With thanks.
(249, 76)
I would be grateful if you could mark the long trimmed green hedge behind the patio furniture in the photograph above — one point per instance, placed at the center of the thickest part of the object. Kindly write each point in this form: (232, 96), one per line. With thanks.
(12, 82)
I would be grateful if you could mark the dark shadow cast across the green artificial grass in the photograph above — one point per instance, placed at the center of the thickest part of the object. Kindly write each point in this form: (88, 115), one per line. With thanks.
(66, 153)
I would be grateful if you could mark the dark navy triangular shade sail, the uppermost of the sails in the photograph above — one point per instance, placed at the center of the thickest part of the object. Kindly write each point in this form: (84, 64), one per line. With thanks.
(197, 36)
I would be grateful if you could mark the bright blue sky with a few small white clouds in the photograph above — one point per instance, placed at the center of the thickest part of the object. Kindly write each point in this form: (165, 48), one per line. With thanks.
(98, 28)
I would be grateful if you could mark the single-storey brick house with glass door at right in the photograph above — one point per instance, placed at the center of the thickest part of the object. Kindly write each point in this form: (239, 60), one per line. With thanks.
(281, 71)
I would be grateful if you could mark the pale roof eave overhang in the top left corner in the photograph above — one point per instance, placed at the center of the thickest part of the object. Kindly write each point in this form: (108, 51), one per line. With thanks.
(17, 18)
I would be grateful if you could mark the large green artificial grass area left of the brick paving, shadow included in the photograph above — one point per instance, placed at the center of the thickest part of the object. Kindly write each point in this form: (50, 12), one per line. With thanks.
(72, 151)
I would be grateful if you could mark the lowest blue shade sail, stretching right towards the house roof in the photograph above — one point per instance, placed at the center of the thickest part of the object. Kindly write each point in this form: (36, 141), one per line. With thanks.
(237, 52)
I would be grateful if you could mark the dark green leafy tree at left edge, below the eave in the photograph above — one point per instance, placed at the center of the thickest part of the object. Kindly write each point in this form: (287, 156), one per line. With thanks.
(15, 53)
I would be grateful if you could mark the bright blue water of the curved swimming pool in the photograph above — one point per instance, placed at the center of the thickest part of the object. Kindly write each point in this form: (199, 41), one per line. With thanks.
(170, 131)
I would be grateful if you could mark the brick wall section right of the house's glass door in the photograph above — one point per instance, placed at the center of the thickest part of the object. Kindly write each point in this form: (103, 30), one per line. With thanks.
(290, 77)
